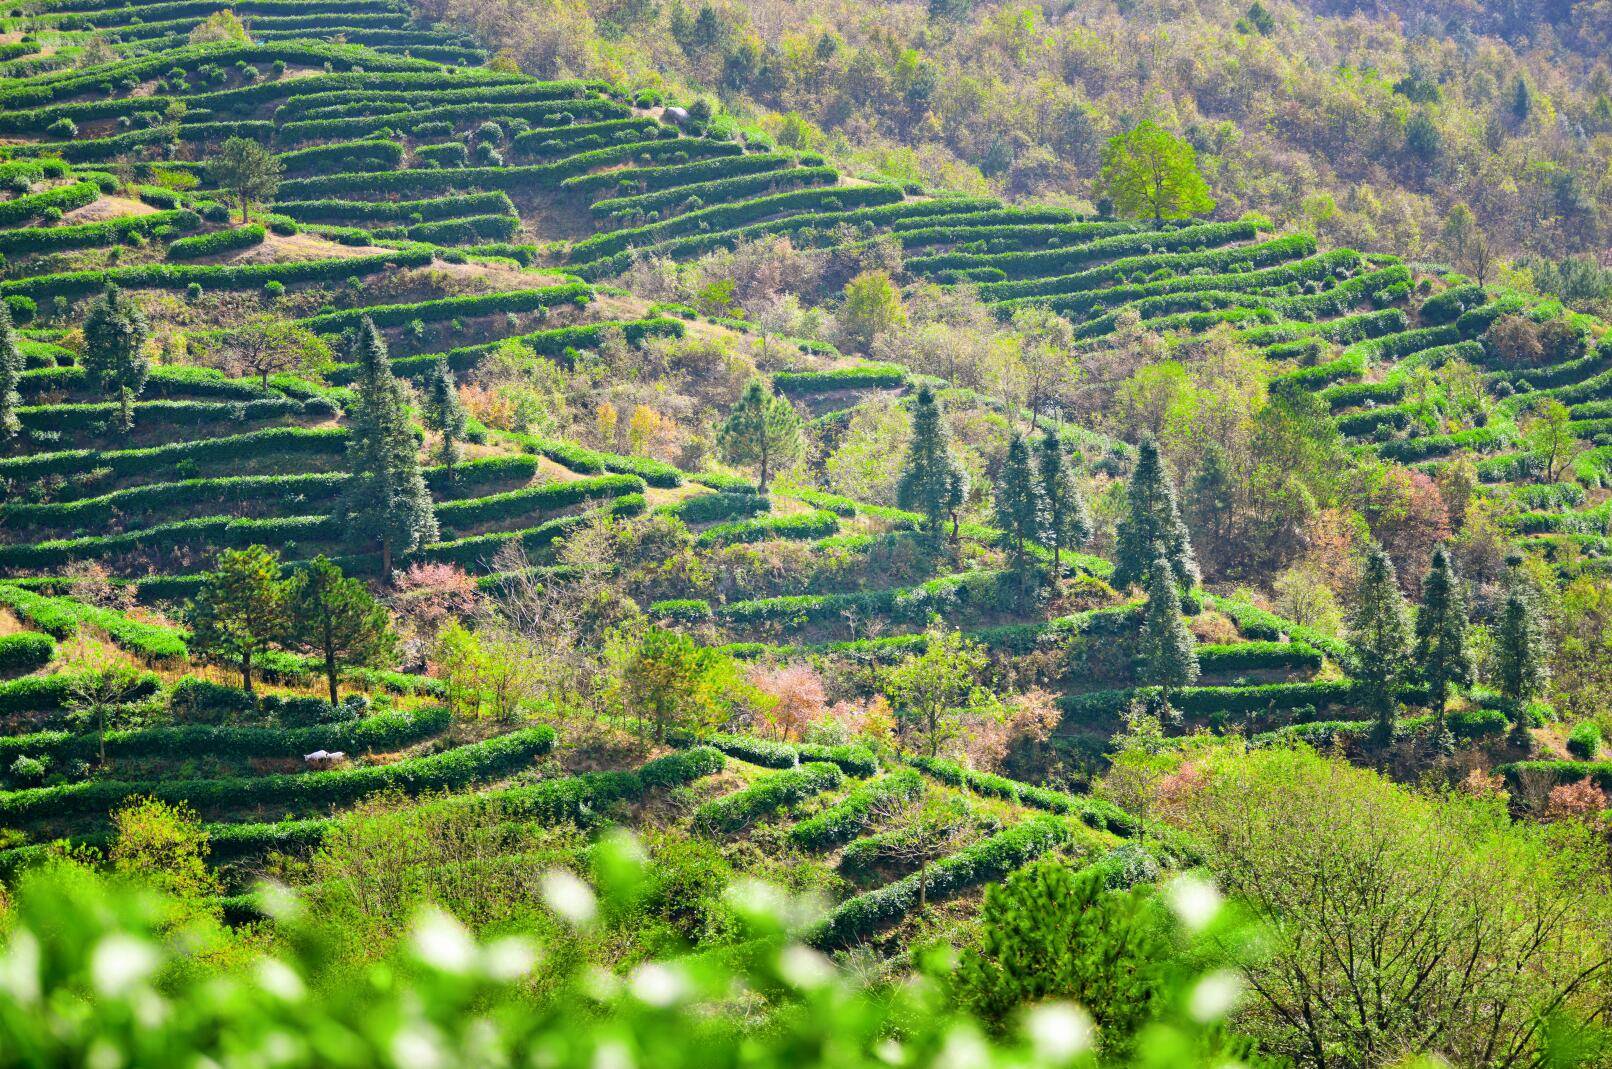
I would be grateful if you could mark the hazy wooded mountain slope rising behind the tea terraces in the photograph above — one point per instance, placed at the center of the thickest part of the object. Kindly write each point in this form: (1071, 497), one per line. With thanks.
(1366, 123)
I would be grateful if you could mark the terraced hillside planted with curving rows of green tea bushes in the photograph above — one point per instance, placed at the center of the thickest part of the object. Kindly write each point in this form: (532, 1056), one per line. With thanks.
(481, 222)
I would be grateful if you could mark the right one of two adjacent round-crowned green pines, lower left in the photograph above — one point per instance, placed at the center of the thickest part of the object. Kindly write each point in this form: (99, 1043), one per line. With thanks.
(334, 618)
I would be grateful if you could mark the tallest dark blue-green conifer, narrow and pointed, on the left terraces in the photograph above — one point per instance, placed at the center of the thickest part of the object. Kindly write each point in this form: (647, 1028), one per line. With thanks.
(386, 504)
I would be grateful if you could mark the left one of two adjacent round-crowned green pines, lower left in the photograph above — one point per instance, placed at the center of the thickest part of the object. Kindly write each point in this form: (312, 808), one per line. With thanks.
(241, 609)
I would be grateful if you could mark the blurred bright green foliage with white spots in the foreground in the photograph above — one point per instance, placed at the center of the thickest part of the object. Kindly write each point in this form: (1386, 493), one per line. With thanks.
(110, 975)
